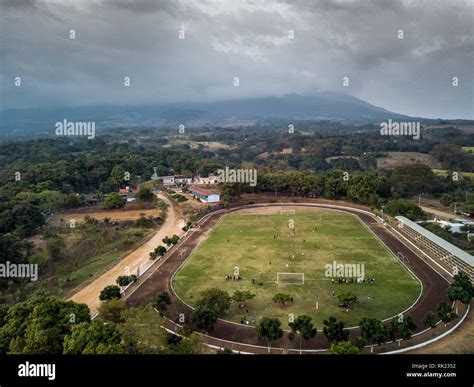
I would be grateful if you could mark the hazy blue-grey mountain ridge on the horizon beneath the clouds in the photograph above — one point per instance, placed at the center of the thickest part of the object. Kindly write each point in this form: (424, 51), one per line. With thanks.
(321, 106)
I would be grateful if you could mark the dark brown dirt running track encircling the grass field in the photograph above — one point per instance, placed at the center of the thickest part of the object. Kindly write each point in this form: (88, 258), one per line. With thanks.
(161, 280)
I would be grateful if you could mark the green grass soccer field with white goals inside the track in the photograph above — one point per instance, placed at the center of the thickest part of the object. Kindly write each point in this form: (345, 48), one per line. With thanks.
(261, 246)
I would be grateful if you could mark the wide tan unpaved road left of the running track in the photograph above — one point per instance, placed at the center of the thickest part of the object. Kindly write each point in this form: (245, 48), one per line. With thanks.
(139, 258)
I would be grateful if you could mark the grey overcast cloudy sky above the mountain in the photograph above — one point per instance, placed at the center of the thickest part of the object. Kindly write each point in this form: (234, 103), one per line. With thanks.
(274, 47)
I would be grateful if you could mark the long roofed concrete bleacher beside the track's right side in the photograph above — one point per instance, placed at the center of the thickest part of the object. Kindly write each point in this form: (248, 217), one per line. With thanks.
(443, 252)
